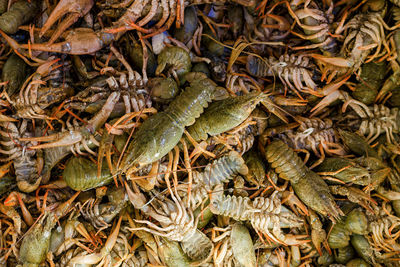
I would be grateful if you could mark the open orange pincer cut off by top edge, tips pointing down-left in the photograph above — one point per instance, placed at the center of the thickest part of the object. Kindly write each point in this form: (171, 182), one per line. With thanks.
(76, 8)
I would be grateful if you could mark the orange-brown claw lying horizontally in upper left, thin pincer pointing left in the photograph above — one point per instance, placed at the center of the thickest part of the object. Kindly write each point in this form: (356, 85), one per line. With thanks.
(79, 41)
